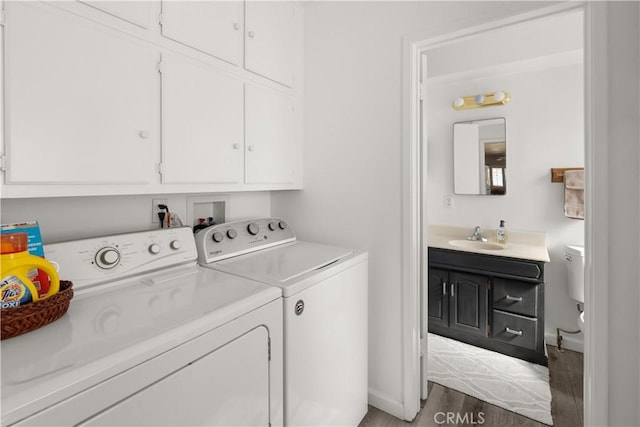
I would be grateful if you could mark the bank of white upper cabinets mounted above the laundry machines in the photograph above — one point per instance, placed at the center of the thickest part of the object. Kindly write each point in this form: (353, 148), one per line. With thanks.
(150, 97)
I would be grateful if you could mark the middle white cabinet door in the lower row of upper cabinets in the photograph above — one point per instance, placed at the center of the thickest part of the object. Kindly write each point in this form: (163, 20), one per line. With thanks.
(202, 124)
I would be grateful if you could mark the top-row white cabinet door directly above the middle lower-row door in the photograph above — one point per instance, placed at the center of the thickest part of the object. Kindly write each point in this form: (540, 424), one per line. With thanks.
(213, 27)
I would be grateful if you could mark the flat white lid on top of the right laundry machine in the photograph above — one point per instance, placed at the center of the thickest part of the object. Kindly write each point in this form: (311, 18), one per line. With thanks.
(284, 263)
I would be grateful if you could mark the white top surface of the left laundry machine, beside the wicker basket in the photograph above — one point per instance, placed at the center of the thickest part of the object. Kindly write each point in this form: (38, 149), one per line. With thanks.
(111, 328)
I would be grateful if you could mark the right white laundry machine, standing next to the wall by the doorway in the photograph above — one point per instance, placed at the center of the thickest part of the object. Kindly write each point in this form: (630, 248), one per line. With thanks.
(324, 292)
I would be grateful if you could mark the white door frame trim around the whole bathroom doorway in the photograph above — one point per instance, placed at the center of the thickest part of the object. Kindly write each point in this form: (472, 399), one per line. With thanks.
(414, 45)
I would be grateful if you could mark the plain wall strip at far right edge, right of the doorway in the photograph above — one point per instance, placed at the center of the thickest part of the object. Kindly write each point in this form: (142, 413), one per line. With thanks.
(616, 119)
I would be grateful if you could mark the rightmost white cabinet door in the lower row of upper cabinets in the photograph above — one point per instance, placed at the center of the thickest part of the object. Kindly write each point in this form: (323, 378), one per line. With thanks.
(272, 154)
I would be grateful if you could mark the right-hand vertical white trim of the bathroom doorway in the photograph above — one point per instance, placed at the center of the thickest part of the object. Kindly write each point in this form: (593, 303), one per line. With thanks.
(596, 360)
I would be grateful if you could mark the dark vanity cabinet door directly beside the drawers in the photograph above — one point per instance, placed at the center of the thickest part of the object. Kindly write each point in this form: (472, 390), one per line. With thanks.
(468, 303)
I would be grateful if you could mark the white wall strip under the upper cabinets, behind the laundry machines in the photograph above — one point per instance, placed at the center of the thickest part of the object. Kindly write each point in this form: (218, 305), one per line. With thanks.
(70, 218)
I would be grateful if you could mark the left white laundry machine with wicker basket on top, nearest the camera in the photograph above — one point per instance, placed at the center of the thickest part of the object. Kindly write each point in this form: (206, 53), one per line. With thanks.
(150, 338)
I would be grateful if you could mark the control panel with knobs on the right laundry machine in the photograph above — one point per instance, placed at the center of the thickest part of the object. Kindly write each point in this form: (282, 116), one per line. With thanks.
(230, 239)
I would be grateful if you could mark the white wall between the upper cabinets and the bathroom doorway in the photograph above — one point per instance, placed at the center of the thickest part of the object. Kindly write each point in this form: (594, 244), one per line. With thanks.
(353, 149)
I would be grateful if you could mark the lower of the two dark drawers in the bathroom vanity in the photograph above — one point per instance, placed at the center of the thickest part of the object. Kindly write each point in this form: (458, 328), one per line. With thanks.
(515, 329)
